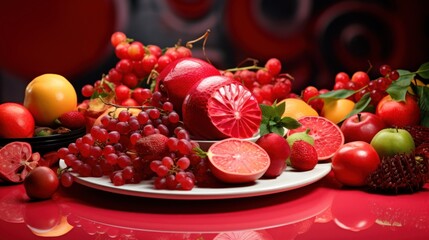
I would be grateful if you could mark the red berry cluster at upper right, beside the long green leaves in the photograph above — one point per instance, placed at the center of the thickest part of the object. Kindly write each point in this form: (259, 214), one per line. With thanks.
(361, 83)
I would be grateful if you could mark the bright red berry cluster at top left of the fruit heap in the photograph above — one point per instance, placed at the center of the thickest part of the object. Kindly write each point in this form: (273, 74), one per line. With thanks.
(130, 79)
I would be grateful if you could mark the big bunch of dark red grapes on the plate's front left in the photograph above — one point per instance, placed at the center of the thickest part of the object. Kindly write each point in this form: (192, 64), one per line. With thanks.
(130, 148)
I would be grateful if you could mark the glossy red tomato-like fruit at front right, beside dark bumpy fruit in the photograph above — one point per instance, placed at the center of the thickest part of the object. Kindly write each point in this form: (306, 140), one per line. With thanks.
(353, 162)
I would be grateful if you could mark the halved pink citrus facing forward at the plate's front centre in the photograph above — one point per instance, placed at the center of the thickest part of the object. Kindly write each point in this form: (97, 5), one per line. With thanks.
(235, 160)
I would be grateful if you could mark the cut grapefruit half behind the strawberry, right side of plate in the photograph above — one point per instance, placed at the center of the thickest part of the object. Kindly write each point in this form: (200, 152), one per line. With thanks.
(327, 135)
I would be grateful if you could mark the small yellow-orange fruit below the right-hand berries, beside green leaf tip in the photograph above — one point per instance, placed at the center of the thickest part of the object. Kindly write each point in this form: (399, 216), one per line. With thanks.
(337, 109)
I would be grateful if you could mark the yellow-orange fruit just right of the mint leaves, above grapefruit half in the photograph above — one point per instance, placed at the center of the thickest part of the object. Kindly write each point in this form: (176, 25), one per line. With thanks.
(297, 108)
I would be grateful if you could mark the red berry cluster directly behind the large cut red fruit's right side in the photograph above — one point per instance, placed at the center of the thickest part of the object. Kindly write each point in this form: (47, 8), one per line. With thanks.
(267, 84)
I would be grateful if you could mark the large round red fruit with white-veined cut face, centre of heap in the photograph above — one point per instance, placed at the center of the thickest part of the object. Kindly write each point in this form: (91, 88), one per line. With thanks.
(219, 107)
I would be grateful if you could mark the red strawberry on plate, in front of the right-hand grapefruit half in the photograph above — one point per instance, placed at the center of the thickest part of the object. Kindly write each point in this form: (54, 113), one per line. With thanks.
(303, 156)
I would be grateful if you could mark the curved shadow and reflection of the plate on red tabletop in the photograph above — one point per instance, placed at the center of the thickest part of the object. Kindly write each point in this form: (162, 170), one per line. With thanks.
(207, 216)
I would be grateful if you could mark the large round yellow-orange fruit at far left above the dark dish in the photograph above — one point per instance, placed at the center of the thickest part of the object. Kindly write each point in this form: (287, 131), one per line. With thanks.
(48, 96)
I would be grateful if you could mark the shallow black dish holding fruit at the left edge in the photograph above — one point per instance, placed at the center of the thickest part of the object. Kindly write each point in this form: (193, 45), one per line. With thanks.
(48, 143)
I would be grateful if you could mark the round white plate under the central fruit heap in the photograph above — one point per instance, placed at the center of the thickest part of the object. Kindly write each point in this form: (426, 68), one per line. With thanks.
(287, 181)
